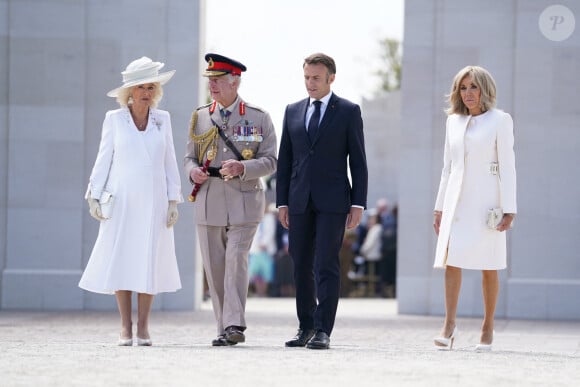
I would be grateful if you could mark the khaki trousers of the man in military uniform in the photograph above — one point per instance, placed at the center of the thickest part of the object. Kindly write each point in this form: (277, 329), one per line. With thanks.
(225, 253)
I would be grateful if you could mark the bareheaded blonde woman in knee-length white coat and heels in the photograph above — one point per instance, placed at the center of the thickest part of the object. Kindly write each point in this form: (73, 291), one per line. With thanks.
(478, 174)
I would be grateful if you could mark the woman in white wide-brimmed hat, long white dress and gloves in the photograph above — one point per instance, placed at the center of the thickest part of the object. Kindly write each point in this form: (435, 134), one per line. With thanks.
(137, 168)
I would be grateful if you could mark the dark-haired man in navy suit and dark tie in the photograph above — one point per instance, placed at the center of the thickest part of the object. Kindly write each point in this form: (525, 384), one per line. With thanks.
(321, 137)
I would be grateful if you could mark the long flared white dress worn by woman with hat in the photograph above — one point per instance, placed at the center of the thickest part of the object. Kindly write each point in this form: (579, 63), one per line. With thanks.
(135, 249)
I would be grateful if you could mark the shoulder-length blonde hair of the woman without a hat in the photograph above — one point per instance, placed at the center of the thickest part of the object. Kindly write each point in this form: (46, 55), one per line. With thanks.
(482, 79)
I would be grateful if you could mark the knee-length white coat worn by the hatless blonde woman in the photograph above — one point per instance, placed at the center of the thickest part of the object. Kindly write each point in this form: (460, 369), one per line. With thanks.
(468, 189)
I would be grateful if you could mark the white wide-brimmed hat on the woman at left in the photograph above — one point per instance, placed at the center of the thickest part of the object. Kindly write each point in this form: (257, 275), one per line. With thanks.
(141, 71)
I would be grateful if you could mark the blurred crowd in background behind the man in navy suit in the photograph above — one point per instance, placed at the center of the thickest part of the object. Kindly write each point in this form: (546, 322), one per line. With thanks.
(368, 257)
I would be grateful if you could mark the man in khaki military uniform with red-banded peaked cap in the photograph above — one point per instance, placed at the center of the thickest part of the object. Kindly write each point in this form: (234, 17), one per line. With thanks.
(231, 145)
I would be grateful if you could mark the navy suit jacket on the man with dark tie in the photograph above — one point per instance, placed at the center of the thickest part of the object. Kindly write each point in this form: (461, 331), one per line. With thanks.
(319, 169)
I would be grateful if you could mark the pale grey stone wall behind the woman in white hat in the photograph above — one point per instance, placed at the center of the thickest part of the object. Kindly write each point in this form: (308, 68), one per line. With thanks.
(58, 58)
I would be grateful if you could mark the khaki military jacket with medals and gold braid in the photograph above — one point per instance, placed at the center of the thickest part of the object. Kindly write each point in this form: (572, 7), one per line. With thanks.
(242, 199)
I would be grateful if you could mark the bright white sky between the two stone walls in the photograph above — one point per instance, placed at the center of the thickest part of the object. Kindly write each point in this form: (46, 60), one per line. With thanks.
(272, 38)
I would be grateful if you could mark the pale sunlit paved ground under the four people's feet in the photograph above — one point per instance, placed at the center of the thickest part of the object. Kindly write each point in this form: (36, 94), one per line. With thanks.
(371, 346)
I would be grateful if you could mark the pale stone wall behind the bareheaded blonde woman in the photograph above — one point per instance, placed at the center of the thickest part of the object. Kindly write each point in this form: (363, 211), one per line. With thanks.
(537, 86)
